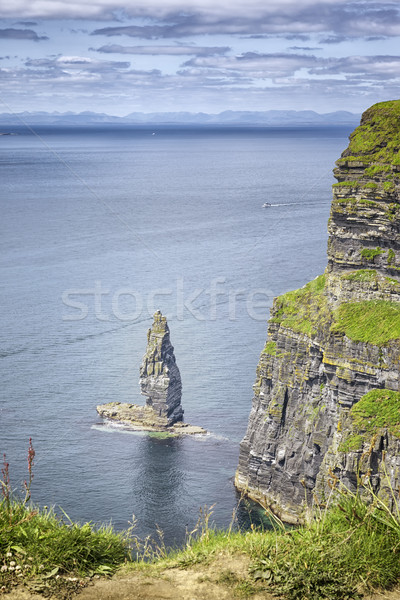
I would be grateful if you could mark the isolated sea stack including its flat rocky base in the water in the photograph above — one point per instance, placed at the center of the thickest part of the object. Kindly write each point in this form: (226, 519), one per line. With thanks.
(160, 382)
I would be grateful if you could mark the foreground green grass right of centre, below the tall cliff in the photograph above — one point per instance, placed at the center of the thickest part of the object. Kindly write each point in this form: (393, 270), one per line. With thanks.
(344, 551)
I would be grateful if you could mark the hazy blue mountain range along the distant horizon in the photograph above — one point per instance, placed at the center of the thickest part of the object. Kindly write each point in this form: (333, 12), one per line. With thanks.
(270, 118)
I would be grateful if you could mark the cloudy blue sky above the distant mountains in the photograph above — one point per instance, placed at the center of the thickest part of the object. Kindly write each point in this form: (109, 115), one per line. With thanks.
(198, 55)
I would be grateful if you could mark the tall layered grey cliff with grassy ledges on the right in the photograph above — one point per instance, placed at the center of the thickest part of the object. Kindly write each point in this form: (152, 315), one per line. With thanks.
(327, 401)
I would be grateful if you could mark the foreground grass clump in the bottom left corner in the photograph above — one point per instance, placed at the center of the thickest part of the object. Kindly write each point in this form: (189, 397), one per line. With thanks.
(38, 545)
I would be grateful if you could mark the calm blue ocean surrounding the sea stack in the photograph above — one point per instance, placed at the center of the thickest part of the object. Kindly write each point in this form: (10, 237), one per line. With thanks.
(99, 228)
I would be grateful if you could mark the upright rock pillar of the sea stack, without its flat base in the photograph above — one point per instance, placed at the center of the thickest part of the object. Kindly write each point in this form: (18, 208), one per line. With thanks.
(160, 380)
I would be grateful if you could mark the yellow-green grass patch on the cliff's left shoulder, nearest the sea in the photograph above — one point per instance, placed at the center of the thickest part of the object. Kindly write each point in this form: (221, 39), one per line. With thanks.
(302, 310)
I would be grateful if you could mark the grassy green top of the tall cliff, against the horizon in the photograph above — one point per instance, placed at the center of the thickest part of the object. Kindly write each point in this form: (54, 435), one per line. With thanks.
(377, 139)
